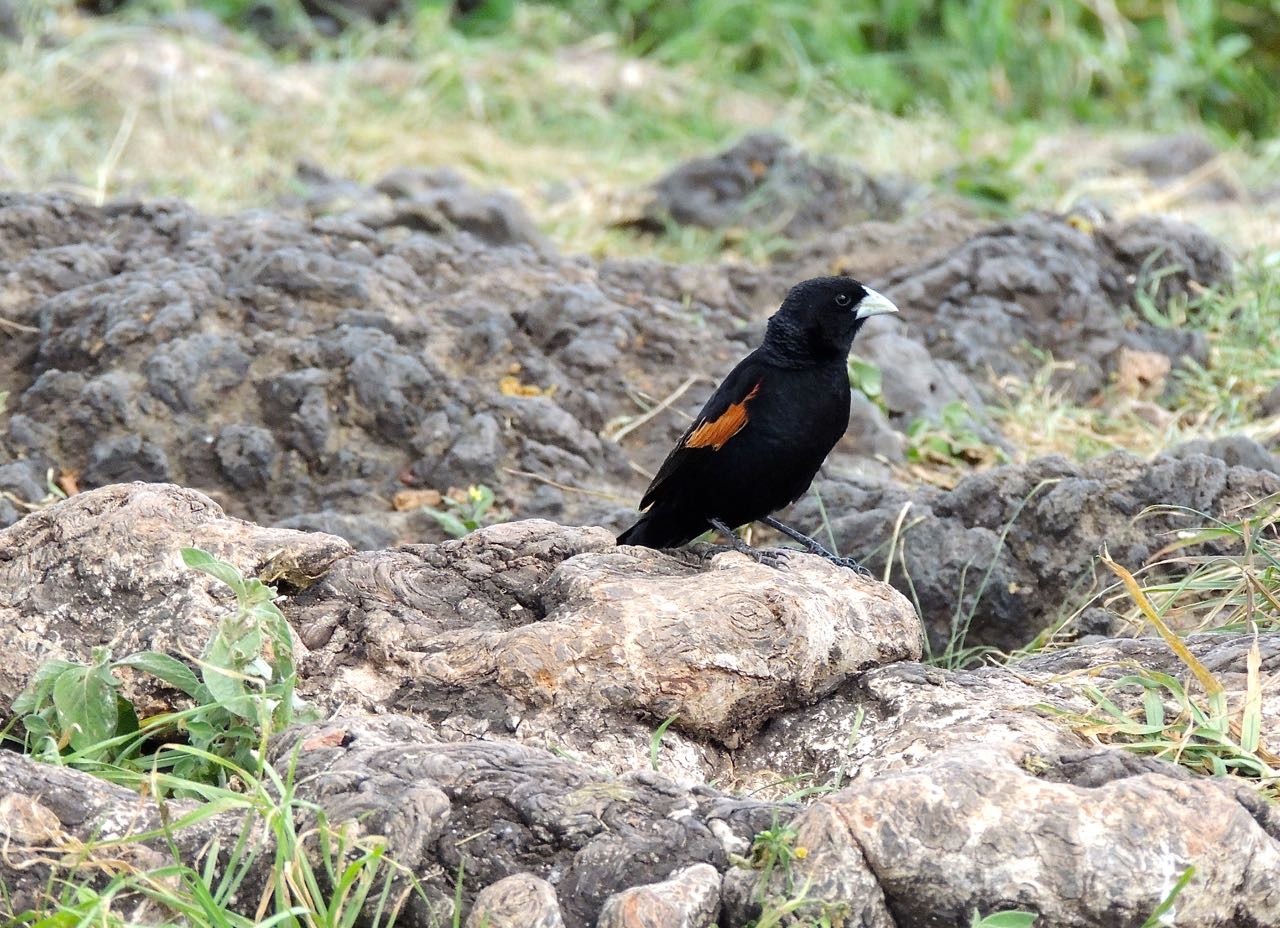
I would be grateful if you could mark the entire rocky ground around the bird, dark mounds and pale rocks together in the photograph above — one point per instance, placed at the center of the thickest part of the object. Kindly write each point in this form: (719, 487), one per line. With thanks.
(310, 377)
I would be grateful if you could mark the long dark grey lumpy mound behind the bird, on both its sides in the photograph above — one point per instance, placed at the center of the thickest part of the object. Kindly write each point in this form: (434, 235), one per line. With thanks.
(307, 372)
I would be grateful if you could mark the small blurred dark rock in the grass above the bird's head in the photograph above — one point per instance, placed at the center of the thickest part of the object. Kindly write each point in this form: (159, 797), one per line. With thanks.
(764, 182)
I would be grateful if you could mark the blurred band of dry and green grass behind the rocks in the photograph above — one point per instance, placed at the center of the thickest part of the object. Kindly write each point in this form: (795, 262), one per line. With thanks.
(570, 102)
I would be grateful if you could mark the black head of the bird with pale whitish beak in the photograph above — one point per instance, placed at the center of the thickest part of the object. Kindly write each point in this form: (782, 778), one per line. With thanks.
(820, 318)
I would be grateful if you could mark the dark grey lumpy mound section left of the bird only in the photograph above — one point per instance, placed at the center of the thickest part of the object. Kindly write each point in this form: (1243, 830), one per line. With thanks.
(308, 372)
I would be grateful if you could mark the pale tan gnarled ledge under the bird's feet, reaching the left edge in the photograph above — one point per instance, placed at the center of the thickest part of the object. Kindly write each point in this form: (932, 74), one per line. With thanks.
(472, 634)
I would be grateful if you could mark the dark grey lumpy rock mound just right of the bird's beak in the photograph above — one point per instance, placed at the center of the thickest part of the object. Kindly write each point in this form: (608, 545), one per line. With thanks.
(1039, 281)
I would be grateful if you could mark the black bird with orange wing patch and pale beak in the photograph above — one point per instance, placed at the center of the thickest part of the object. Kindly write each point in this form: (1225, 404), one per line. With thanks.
(762, 437)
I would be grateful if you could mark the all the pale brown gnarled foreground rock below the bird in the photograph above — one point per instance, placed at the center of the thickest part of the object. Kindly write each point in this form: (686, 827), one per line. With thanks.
(950, 792)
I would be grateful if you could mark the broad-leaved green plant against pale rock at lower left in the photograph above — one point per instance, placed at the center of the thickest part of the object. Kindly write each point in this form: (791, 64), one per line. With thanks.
(75, 714)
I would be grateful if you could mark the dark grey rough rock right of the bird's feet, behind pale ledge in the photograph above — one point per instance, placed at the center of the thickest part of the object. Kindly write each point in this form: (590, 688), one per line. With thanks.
(996, 560)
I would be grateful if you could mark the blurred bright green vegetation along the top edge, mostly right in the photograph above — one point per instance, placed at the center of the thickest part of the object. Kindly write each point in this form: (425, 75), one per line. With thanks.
(1146, 62)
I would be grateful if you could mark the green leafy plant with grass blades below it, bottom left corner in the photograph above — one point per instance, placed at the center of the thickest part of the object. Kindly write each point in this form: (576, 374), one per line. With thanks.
(322, 874)
